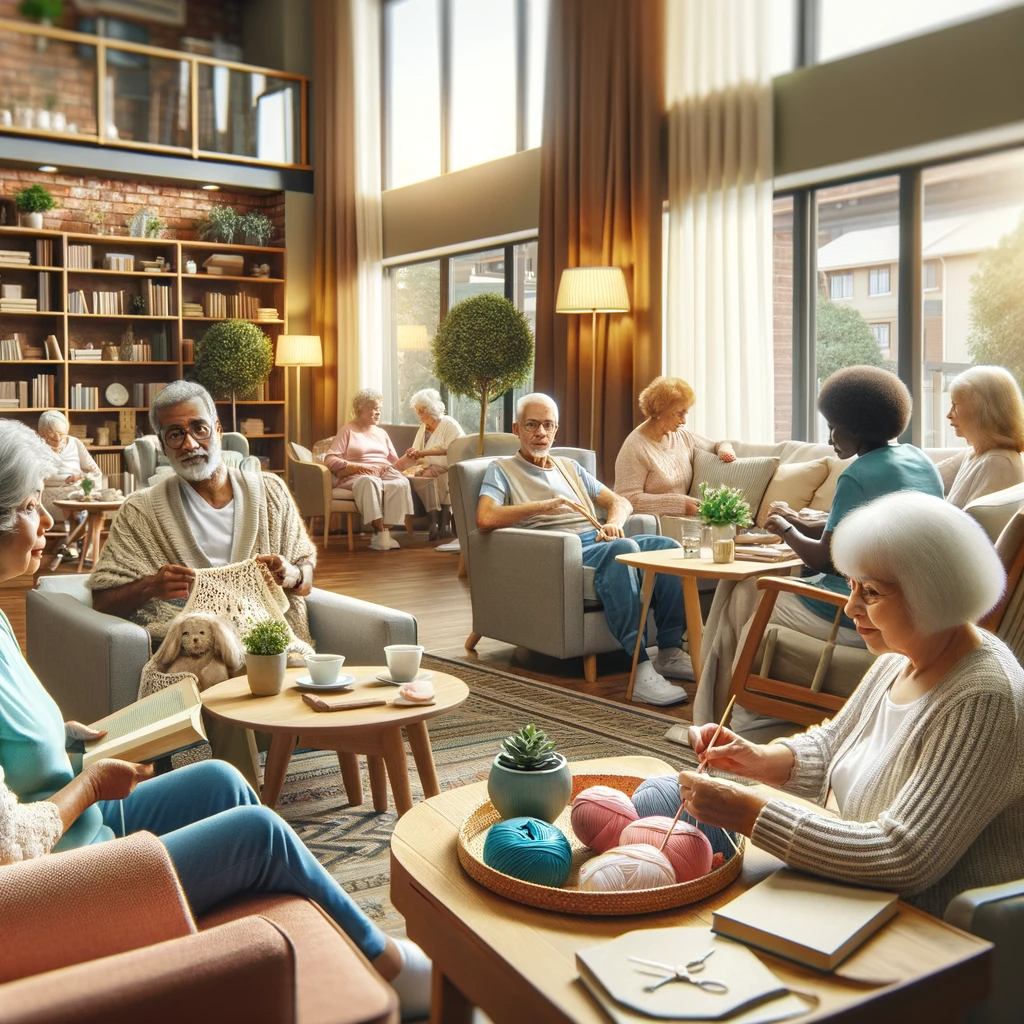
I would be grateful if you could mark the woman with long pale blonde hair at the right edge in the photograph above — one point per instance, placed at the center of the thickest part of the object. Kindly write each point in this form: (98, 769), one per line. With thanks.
(989, 413)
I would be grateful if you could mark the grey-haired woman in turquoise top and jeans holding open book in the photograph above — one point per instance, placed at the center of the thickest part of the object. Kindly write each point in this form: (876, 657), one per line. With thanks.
(222, 841)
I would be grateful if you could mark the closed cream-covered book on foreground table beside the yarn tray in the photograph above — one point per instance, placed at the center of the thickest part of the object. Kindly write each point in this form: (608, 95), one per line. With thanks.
(805, 919)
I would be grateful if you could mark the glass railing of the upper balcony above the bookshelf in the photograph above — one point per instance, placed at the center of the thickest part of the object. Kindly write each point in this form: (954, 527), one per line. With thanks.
(77, 87)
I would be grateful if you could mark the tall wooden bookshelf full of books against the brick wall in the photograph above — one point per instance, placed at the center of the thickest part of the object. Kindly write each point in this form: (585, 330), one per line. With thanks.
(66, 271)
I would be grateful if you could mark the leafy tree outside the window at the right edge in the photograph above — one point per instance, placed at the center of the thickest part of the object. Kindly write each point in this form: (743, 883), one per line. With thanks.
(997, 313)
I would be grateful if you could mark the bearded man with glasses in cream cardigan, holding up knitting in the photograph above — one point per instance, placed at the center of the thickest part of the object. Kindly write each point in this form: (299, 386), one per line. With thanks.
(207, 515)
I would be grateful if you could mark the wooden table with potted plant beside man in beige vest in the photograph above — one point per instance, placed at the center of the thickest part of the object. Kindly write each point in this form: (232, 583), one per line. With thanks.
(690, 571)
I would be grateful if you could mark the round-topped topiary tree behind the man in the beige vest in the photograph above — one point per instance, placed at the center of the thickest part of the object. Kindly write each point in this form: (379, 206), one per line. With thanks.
(484, 349)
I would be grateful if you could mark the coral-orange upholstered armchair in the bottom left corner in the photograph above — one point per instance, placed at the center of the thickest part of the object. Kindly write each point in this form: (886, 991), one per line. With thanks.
(80, 946)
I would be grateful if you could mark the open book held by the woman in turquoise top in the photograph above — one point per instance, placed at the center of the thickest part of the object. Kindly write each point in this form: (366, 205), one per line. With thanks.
(160, 724)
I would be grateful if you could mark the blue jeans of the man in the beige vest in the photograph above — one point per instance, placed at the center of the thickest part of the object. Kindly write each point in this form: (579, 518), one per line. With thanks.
(619, 588)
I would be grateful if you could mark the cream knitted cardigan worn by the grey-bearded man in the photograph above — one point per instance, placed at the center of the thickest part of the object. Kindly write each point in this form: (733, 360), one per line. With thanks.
(152, 530)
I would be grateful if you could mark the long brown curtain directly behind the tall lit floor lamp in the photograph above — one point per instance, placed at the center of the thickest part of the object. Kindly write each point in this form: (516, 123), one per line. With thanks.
(602, 189)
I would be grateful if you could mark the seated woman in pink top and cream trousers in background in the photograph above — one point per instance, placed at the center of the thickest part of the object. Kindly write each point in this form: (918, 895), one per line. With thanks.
(364, 461)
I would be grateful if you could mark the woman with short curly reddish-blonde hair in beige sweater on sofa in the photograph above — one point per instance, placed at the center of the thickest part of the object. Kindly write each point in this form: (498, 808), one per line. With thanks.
(655, 467)
